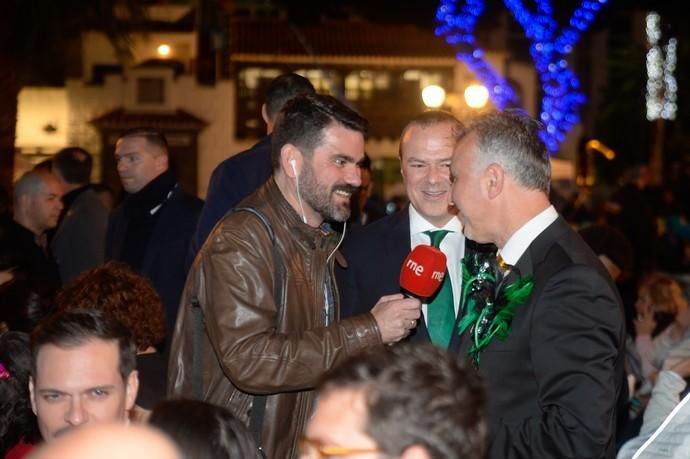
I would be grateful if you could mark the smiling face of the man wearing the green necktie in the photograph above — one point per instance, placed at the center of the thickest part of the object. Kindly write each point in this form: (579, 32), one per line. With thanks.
(426, 153)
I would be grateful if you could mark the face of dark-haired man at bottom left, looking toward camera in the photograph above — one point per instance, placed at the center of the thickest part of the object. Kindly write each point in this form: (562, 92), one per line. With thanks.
(80, 385)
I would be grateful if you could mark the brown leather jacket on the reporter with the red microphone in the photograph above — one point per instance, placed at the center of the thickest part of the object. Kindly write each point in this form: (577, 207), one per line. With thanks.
(243, 352)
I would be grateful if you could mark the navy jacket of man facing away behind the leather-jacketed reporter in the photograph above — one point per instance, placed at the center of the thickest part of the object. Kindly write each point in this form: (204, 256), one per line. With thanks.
(233, 180)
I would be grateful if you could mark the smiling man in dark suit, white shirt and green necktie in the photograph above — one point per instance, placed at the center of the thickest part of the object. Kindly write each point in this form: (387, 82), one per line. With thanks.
(375, 252)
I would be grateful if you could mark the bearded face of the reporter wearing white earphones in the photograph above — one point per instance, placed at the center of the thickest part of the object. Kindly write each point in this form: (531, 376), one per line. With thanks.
(331, 175)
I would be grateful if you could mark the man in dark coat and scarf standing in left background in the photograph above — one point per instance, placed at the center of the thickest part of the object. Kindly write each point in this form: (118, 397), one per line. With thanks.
(152, 229)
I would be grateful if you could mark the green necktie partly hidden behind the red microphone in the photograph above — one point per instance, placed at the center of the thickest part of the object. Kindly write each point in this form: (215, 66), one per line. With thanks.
(441, 310)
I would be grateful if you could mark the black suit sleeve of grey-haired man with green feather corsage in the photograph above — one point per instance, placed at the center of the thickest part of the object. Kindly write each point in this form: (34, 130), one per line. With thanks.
(576, 334)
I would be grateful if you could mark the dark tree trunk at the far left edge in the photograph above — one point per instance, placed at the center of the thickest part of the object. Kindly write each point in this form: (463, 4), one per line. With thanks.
(9, 94)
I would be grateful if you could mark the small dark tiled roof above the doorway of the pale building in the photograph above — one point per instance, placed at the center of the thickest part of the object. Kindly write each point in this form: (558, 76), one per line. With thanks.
(121, 119)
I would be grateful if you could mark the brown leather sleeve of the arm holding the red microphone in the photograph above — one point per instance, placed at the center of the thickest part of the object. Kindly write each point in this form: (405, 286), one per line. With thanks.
(241, 316)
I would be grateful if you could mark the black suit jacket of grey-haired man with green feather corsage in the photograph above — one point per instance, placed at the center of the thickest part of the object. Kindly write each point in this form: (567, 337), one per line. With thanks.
(552, 385)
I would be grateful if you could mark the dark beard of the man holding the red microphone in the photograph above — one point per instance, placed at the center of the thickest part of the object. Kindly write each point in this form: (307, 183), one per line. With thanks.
(319, 196)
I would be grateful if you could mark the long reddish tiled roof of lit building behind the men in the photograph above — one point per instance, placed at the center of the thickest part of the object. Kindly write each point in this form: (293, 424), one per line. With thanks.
(335, 38)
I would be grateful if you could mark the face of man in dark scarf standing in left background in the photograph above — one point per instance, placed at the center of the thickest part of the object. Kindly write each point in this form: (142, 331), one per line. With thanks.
(138, 162)
